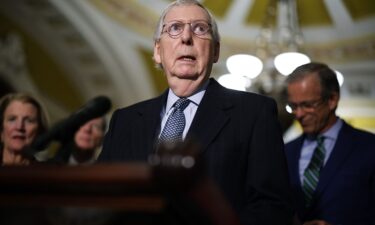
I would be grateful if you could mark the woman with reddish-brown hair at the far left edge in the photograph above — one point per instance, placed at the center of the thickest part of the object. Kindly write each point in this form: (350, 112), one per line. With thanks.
(22, 119)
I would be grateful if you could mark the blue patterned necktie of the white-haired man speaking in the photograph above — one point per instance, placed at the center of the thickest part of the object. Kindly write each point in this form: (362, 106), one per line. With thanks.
(175, 124)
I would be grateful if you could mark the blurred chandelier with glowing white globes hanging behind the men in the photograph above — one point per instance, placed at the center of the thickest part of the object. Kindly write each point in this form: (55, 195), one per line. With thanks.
(277, 51)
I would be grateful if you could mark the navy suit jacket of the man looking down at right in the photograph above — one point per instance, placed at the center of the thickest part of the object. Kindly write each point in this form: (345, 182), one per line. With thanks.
(346, 190)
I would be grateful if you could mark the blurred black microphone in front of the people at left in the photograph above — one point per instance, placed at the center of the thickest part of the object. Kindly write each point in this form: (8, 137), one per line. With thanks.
(65, 129)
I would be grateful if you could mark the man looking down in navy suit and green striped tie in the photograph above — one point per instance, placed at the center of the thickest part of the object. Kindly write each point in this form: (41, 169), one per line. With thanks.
(345, 190)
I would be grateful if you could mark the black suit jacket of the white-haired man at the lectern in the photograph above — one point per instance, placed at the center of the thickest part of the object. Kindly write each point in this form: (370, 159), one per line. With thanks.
(241, 142)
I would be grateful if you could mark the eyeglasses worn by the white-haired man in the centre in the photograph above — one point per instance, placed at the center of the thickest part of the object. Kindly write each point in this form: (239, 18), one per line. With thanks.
(175, 28)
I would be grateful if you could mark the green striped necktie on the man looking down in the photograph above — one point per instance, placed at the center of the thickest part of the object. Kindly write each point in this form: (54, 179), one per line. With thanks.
(312, 172)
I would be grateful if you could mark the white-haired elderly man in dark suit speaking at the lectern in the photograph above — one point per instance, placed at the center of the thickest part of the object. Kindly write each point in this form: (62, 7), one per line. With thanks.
(238, 132)
